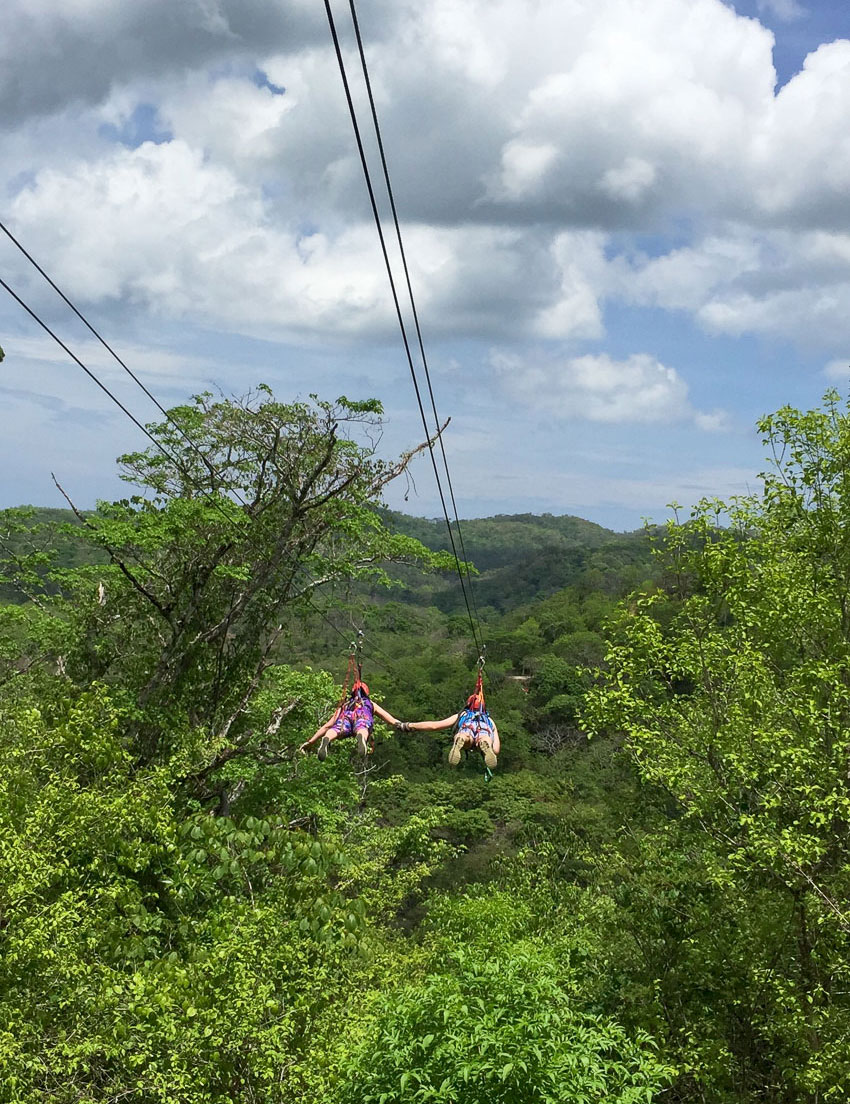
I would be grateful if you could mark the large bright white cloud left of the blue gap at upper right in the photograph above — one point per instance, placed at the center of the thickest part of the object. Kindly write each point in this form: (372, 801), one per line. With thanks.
(647, 108)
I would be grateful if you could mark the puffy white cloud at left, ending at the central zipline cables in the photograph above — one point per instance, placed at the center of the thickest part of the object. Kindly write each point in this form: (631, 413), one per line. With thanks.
(163, 228)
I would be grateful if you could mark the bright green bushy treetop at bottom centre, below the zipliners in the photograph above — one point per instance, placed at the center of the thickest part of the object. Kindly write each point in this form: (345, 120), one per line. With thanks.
(497, 1017)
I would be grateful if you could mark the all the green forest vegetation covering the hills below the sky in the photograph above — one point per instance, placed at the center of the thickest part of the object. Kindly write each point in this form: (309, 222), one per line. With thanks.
(647, 903)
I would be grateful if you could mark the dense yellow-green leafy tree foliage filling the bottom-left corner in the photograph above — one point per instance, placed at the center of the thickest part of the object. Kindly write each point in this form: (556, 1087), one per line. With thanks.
(148, 948)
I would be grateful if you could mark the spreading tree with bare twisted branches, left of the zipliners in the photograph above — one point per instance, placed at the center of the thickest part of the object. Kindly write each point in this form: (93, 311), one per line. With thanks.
(248, 509)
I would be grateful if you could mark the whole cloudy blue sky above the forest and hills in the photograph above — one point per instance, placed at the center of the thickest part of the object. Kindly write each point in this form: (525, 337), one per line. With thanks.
(628, 226)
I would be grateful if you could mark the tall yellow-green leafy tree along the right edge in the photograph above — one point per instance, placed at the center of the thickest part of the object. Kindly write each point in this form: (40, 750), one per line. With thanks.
(739, 705)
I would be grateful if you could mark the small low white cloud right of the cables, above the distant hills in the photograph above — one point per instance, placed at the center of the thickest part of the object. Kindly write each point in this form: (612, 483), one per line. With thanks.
(600, 389)
